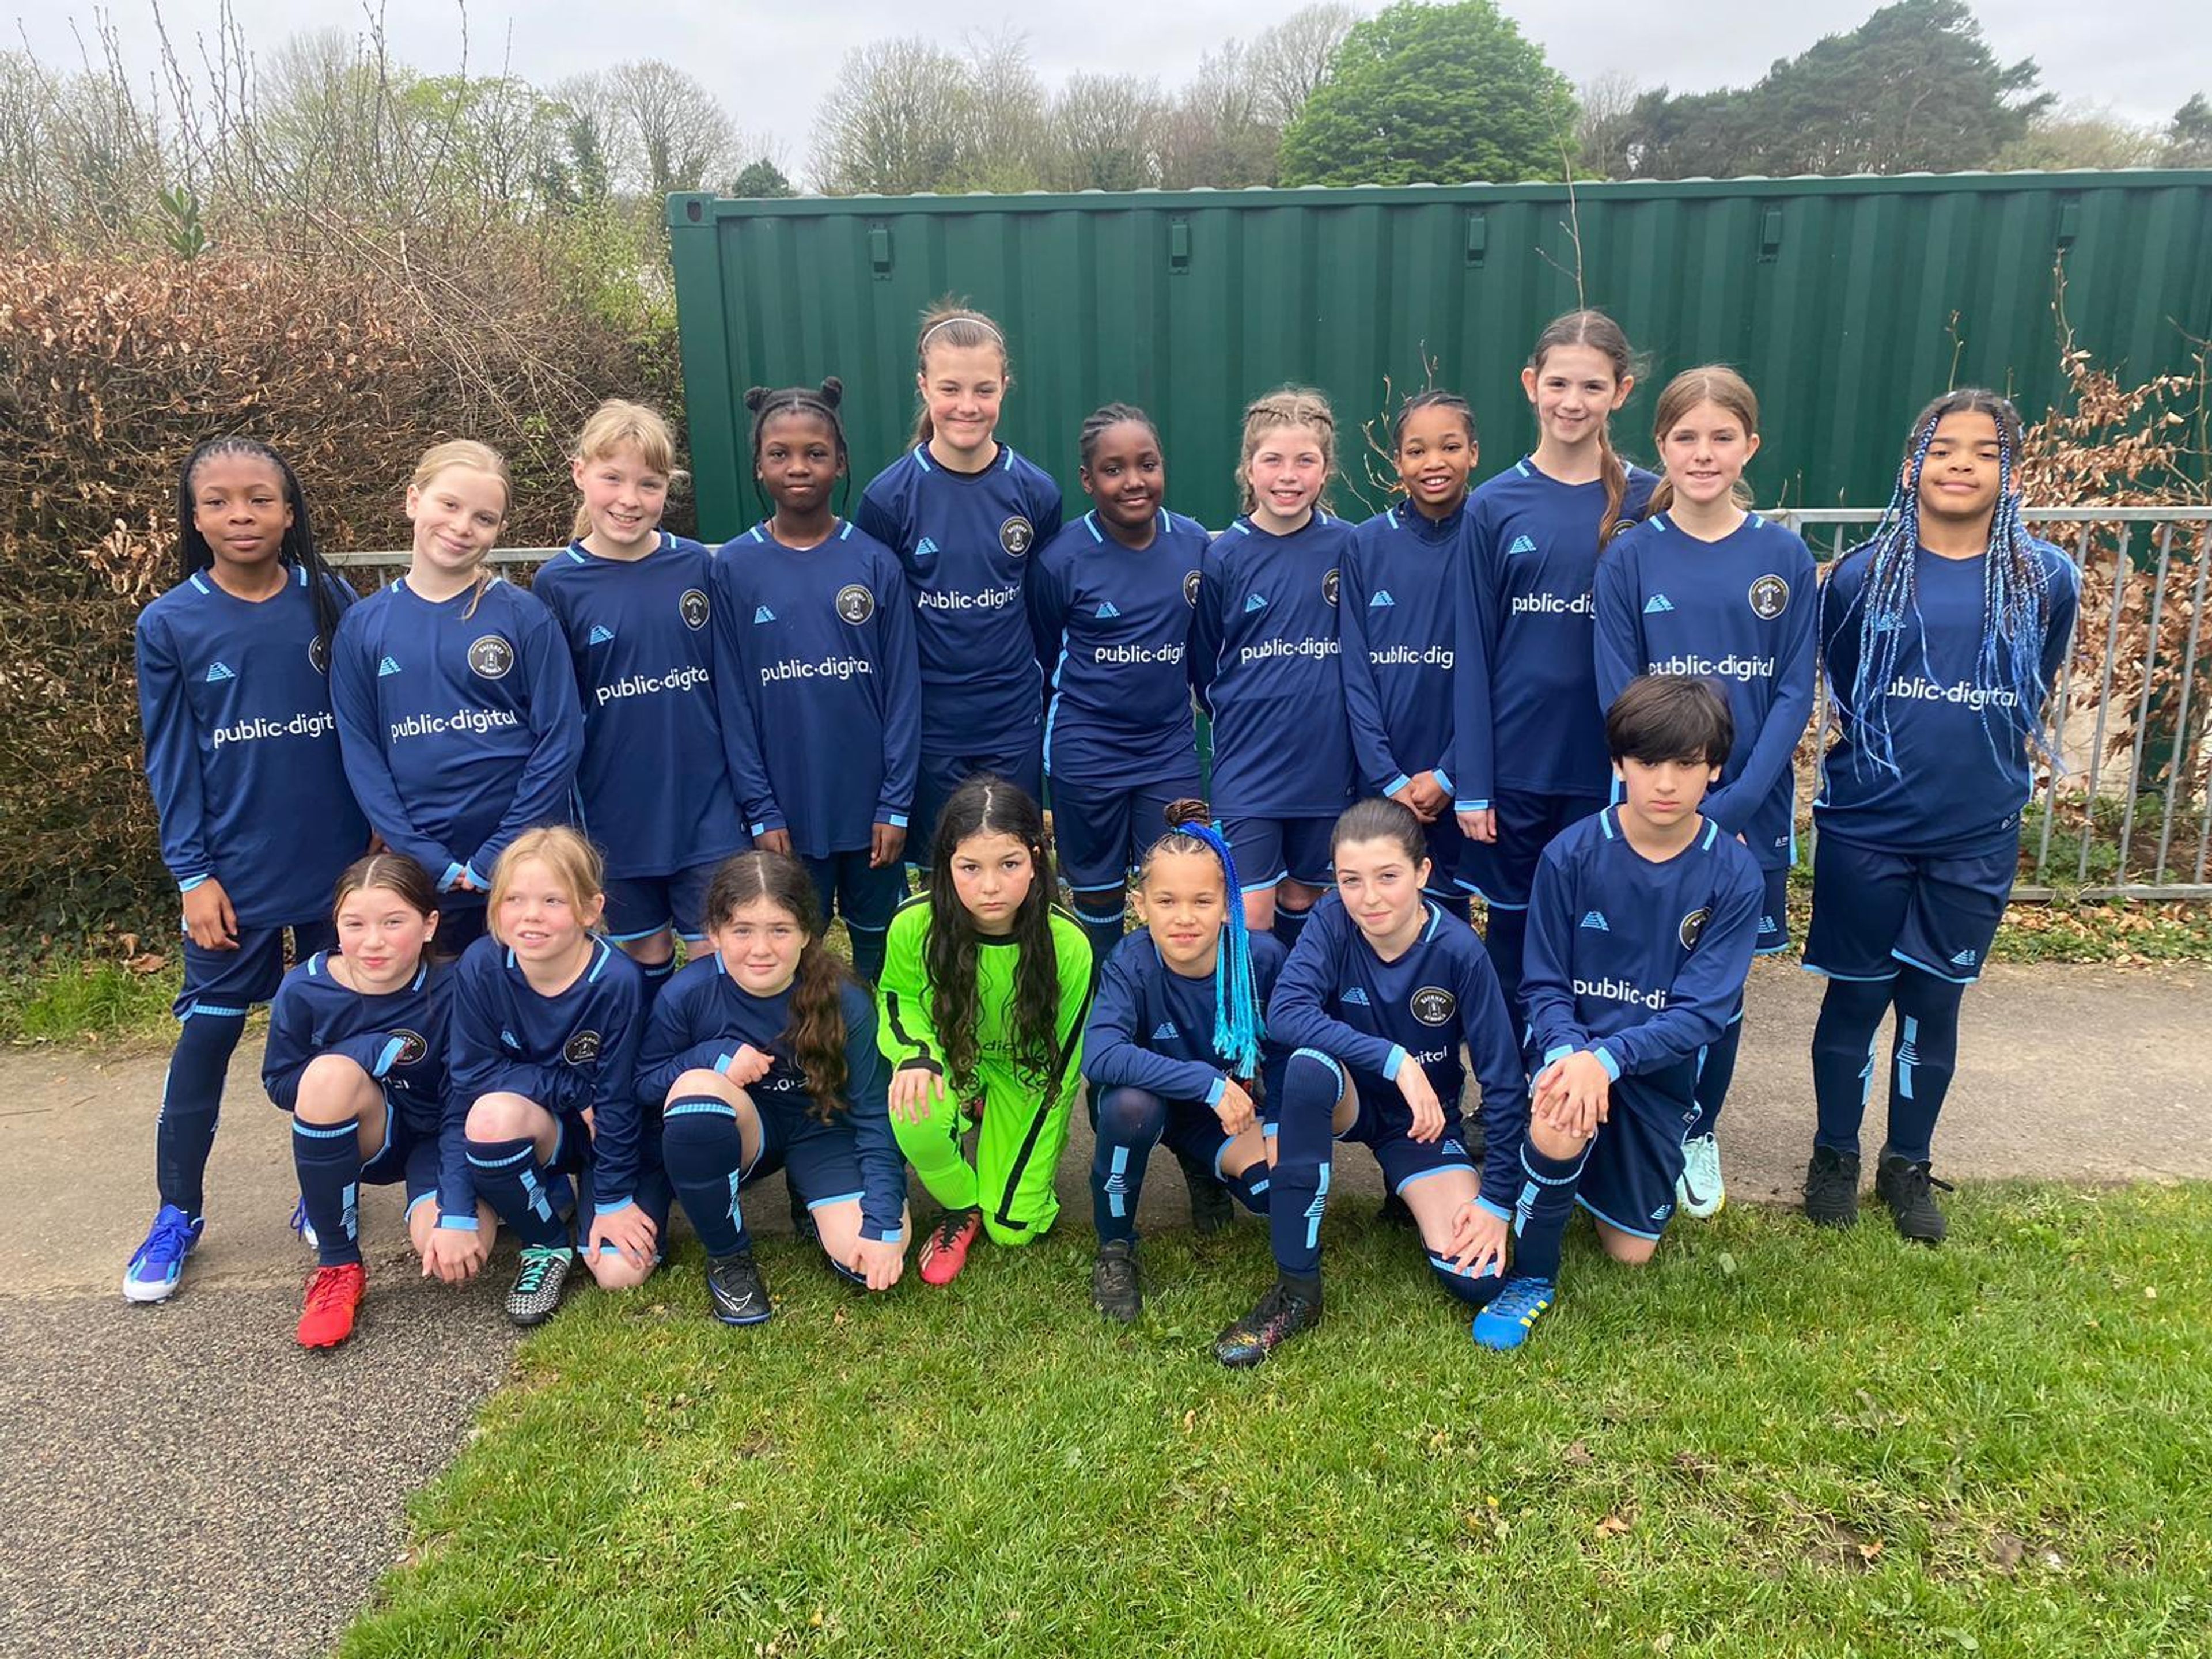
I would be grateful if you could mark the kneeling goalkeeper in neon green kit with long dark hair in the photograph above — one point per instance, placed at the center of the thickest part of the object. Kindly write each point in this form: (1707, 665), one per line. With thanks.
(985, 990)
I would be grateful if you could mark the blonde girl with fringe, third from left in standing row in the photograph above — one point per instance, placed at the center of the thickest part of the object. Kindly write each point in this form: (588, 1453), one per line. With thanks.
(632, 603)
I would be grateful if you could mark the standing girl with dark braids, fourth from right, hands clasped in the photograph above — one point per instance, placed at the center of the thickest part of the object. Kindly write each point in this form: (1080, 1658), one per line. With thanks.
(1399, 625)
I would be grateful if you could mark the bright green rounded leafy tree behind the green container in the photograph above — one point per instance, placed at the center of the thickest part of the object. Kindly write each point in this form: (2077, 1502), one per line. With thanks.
(1432, 94)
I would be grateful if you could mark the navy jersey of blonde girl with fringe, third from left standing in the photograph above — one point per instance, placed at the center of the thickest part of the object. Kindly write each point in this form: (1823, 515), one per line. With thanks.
(654, 784)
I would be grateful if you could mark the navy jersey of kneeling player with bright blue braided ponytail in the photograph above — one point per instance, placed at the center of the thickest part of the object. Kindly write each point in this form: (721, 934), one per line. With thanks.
(1154, 1027)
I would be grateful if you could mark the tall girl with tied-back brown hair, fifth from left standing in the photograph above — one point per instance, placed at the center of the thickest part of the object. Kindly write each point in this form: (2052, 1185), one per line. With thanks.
(966, 514)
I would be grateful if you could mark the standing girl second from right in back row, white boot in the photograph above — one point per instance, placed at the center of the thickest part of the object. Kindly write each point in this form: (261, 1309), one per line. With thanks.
(1707, 589)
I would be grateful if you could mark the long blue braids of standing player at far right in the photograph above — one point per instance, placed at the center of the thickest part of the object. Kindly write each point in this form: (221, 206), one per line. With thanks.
(2016, 603)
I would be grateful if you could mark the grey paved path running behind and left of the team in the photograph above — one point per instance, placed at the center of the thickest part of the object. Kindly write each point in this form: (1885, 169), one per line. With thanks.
(171, 1472)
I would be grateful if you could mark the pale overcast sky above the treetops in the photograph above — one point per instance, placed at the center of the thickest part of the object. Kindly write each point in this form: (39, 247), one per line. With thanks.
(773, 65)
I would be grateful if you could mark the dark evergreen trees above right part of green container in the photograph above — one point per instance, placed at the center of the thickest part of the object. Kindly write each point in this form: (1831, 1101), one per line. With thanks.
(1912, 90)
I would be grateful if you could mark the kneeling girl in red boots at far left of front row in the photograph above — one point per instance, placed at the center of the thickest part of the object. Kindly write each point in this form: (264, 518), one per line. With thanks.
(357, 1056)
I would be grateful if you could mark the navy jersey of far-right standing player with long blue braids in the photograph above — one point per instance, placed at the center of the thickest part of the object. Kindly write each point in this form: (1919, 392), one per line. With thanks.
(1961, 755)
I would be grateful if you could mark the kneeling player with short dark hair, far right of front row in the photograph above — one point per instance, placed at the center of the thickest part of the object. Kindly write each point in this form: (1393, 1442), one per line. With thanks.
(1640, 937)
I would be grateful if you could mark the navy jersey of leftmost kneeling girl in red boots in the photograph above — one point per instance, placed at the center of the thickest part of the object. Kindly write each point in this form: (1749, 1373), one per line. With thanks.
(399, 1039)
